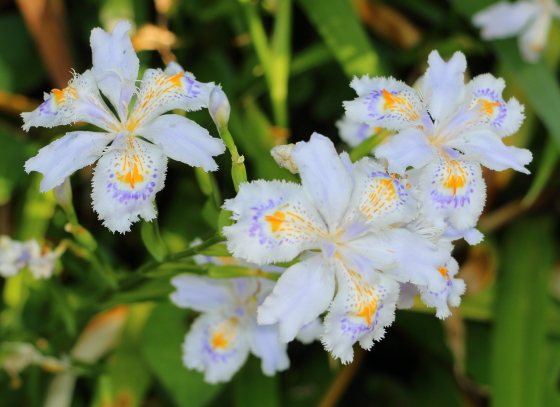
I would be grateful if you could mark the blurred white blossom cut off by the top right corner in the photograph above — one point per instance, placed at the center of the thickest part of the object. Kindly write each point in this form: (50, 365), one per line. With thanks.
(530, 20)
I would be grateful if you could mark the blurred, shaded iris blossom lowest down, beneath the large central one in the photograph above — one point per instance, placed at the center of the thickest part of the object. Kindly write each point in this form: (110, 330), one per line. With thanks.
(220, 339)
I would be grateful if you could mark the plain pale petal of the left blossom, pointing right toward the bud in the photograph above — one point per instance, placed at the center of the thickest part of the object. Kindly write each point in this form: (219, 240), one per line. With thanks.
(183, 140)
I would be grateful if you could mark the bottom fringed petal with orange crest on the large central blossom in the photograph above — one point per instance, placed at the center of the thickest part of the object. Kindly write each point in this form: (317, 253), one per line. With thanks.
(360, 312)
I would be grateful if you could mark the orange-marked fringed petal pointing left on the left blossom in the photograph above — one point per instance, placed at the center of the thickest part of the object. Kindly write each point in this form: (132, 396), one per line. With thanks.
(80, 101)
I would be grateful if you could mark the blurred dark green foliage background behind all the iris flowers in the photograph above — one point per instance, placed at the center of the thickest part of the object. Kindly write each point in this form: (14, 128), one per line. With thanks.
(285, 66)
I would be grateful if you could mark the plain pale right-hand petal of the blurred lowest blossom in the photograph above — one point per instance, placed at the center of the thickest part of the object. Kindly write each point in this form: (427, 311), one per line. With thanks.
(265, 345)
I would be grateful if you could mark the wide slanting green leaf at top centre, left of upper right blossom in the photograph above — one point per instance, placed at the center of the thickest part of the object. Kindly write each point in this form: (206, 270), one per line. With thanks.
(344, 34)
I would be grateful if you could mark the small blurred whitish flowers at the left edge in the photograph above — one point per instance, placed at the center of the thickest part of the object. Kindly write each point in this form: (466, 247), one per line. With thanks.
(15, 255)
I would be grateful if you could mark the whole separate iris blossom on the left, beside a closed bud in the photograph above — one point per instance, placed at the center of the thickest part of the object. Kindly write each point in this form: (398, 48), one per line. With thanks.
(130, 170)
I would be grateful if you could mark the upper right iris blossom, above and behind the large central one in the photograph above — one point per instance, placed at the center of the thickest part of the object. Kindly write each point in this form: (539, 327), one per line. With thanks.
(447, 129)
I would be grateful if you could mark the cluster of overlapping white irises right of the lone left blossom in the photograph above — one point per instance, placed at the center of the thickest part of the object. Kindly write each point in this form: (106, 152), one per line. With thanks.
(369, 240)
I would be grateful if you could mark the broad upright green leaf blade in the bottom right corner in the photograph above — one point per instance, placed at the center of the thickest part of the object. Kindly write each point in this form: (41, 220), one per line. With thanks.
(519, 348)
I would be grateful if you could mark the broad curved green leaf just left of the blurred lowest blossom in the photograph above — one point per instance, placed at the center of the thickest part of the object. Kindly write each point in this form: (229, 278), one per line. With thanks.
(163, 335)
